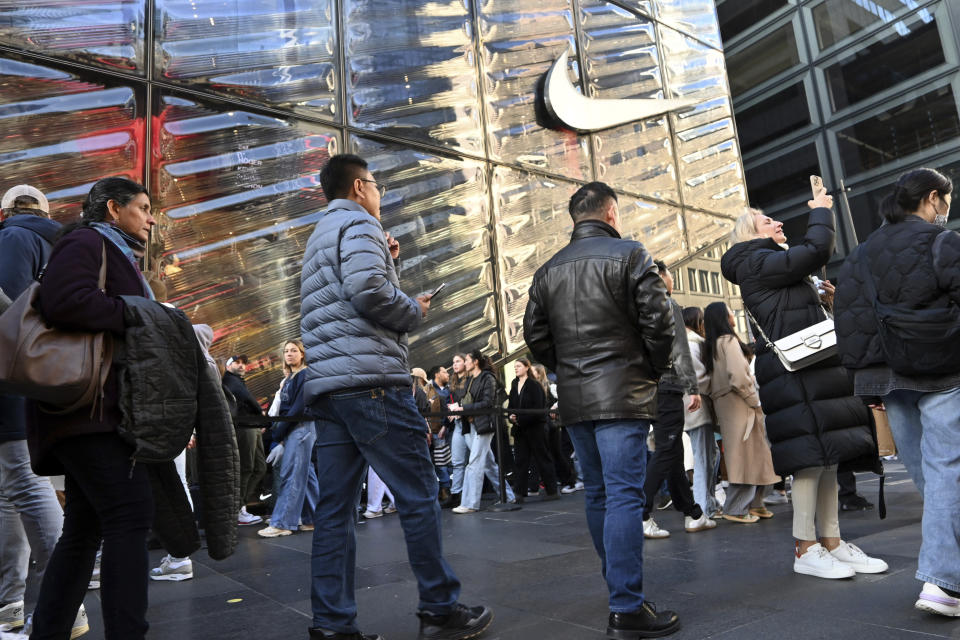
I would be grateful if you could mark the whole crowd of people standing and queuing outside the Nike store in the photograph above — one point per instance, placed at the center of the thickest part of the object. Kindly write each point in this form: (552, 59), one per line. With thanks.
(636, 386)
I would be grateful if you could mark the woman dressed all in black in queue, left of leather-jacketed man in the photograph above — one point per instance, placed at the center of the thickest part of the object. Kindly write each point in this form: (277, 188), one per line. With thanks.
(529, 434)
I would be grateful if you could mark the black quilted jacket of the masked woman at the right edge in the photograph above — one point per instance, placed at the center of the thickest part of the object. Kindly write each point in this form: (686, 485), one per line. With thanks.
(901, 262)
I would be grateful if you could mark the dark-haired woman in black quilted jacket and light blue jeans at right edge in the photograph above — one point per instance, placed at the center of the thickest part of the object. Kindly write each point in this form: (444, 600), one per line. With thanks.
(908, 270)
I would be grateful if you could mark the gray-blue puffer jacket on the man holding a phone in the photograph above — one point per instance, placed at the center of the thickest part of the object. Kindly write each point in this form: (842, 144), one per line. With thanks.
(354, 317)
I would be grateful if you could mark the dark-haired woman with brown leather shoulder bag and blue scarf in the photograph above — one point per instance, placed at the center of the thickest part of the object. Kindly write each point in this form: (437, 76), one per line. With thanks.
(107, 496)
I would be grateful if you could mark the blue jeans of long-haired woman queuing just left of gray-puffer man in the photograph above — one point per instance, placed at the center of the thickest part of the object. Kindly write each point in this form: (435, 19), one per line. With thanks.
(297, 499)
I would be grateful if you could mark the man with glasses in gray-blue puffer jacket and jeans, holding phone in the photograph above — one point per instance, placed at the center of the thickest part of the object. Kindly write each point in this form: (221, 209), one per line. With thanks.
(354, 324)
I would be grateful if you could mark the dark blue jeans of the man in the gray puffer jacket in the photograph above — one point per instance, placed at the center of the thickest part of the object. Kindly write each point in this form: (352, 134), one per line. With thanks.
(382, 427)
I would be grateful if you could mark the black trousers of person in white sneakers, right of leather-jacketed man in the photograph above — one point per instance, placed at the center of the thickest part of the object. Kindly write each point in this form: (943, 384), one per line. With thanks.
(667, 461)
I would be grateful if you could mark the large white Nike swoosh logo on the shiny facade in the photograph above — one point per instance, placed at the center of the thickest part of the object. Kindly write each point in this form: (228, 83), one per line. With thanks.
(583, 114)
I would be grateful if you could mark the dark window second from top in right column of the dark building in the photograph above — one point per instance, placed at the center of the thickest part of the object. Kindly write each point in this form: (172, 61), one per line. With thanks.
(898, 56)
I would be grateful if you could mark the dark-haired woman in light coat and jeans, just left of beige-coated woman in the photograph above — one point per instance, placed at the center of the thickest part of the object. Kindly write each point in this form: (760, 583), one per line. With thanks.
(699, 424)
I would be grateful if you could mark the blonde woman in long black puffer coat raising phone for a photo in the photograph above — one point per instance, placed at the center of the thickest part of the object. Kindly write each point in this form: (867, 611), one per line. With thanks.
(813, 421)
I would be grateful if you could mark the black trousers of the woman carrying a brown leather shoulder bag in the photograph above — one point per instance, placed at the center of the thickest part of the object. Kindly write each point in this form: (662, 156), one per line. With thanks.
(105, 499)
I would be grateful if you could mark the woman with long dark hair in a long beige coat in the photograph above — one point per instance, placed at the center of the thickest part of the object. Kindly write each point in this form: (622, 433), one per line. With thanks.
(737, 407)
